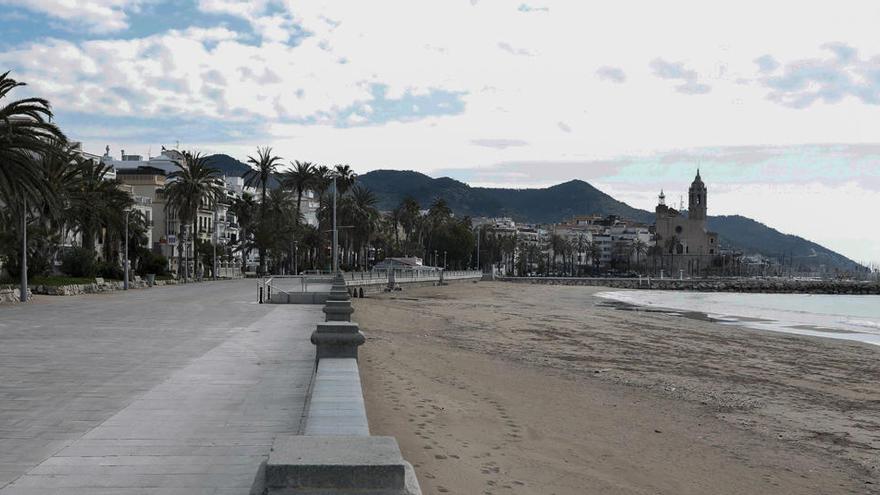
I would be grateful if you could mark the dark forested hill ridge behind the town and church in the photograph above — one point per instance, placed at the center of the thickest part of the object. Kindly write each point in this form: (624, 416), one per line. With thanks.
(576, 197)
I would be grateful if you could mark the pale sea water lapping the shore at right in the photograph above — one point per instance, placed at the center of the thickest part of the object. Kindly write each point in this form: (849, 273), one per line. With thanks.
(832, 316)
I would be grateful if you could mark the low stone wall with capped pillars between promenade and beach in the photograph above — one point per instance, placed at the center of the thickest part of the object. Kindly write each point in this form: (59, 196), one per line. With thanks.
(335, 454)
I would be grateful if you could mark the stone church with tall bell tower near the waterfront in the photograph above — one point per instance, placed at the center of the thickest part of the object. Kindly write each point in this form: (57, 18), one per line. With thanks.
(684, 242)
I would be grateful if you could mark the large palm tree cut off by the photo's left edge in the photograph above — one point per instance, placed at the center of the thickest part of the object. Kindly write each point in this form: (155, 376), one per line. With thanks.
(26, 130)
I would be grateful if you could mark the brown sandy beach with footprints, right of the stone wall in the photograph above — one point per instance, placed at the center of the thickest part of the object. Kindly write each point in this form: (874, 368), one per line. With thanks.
(496, 388)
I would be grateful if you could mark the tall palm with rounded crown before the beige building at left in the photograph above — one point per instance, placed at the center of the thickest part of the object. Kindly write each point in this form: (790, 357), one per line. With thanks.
(192, 185)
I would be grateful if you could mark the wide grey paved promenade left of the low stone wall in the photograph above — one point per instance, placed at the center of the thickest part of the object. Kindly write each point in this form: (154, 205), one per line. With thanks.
(161, 391)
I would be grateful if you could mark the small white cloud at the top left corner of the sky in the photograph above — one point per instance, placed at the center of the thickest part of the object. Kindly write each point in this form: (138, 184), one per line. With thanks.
(99, 16)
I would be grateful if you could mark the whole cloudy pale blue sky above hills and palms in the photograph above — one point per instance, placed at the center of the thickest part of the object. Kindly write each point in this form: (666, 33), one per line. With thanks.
(777, 103)
